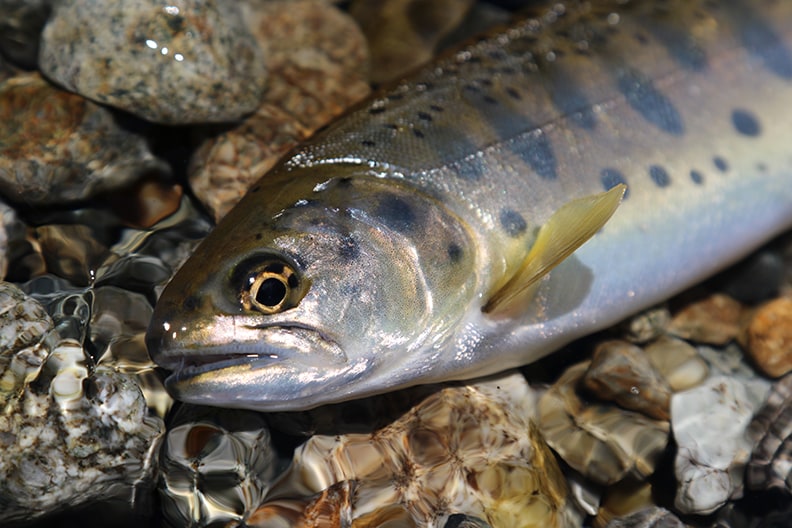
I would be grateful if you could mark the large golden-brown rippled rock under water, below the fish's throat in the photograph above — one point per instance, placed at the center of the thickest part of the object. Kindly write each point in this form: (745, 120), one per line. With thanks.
(467, 448)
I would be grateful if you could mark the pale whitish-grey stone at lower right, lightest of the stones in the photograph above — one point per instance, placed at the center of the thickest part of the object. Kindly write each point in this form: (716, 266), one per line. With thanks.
(709, 424)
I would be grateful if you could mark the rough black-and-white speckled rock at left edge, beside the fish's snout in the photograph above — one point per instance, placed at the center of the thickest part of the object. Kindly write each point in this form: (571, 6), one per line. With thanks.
(72, 434)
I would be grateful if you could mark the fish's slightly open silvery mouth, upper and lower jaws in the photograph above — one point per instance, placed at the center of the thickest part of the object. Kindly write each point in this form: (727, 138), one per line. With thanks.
(235, 361)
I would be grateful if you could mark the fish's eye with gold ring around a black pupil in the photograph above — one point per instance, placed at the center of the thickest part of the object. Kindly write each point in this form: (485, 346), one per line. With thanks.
(269, 286)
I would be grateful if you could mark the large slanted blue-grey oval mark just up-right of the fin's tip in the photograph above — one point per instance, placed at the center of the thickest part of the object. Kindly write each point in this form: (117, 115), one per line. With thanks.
(647, 100)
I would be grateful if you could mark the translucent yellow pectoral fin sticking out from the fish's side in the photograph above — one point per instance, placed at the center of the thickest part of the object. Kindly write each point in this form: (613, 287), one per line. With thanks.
(568, 229)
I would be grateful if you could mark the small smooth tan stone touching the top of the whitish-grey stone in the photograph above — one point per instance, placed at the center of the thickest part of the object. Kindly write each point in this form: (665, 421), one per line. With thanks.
(678, 362)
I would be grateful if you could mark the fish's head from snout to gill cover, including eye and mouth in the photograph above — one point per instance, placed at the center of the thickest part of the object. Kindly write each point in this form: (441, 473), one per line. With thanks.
(314, 300)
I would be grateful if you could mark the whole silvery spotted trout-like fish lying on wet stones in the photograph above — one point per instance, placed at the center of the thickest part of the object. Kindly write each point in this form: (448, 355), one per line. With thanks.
(542, 183)
